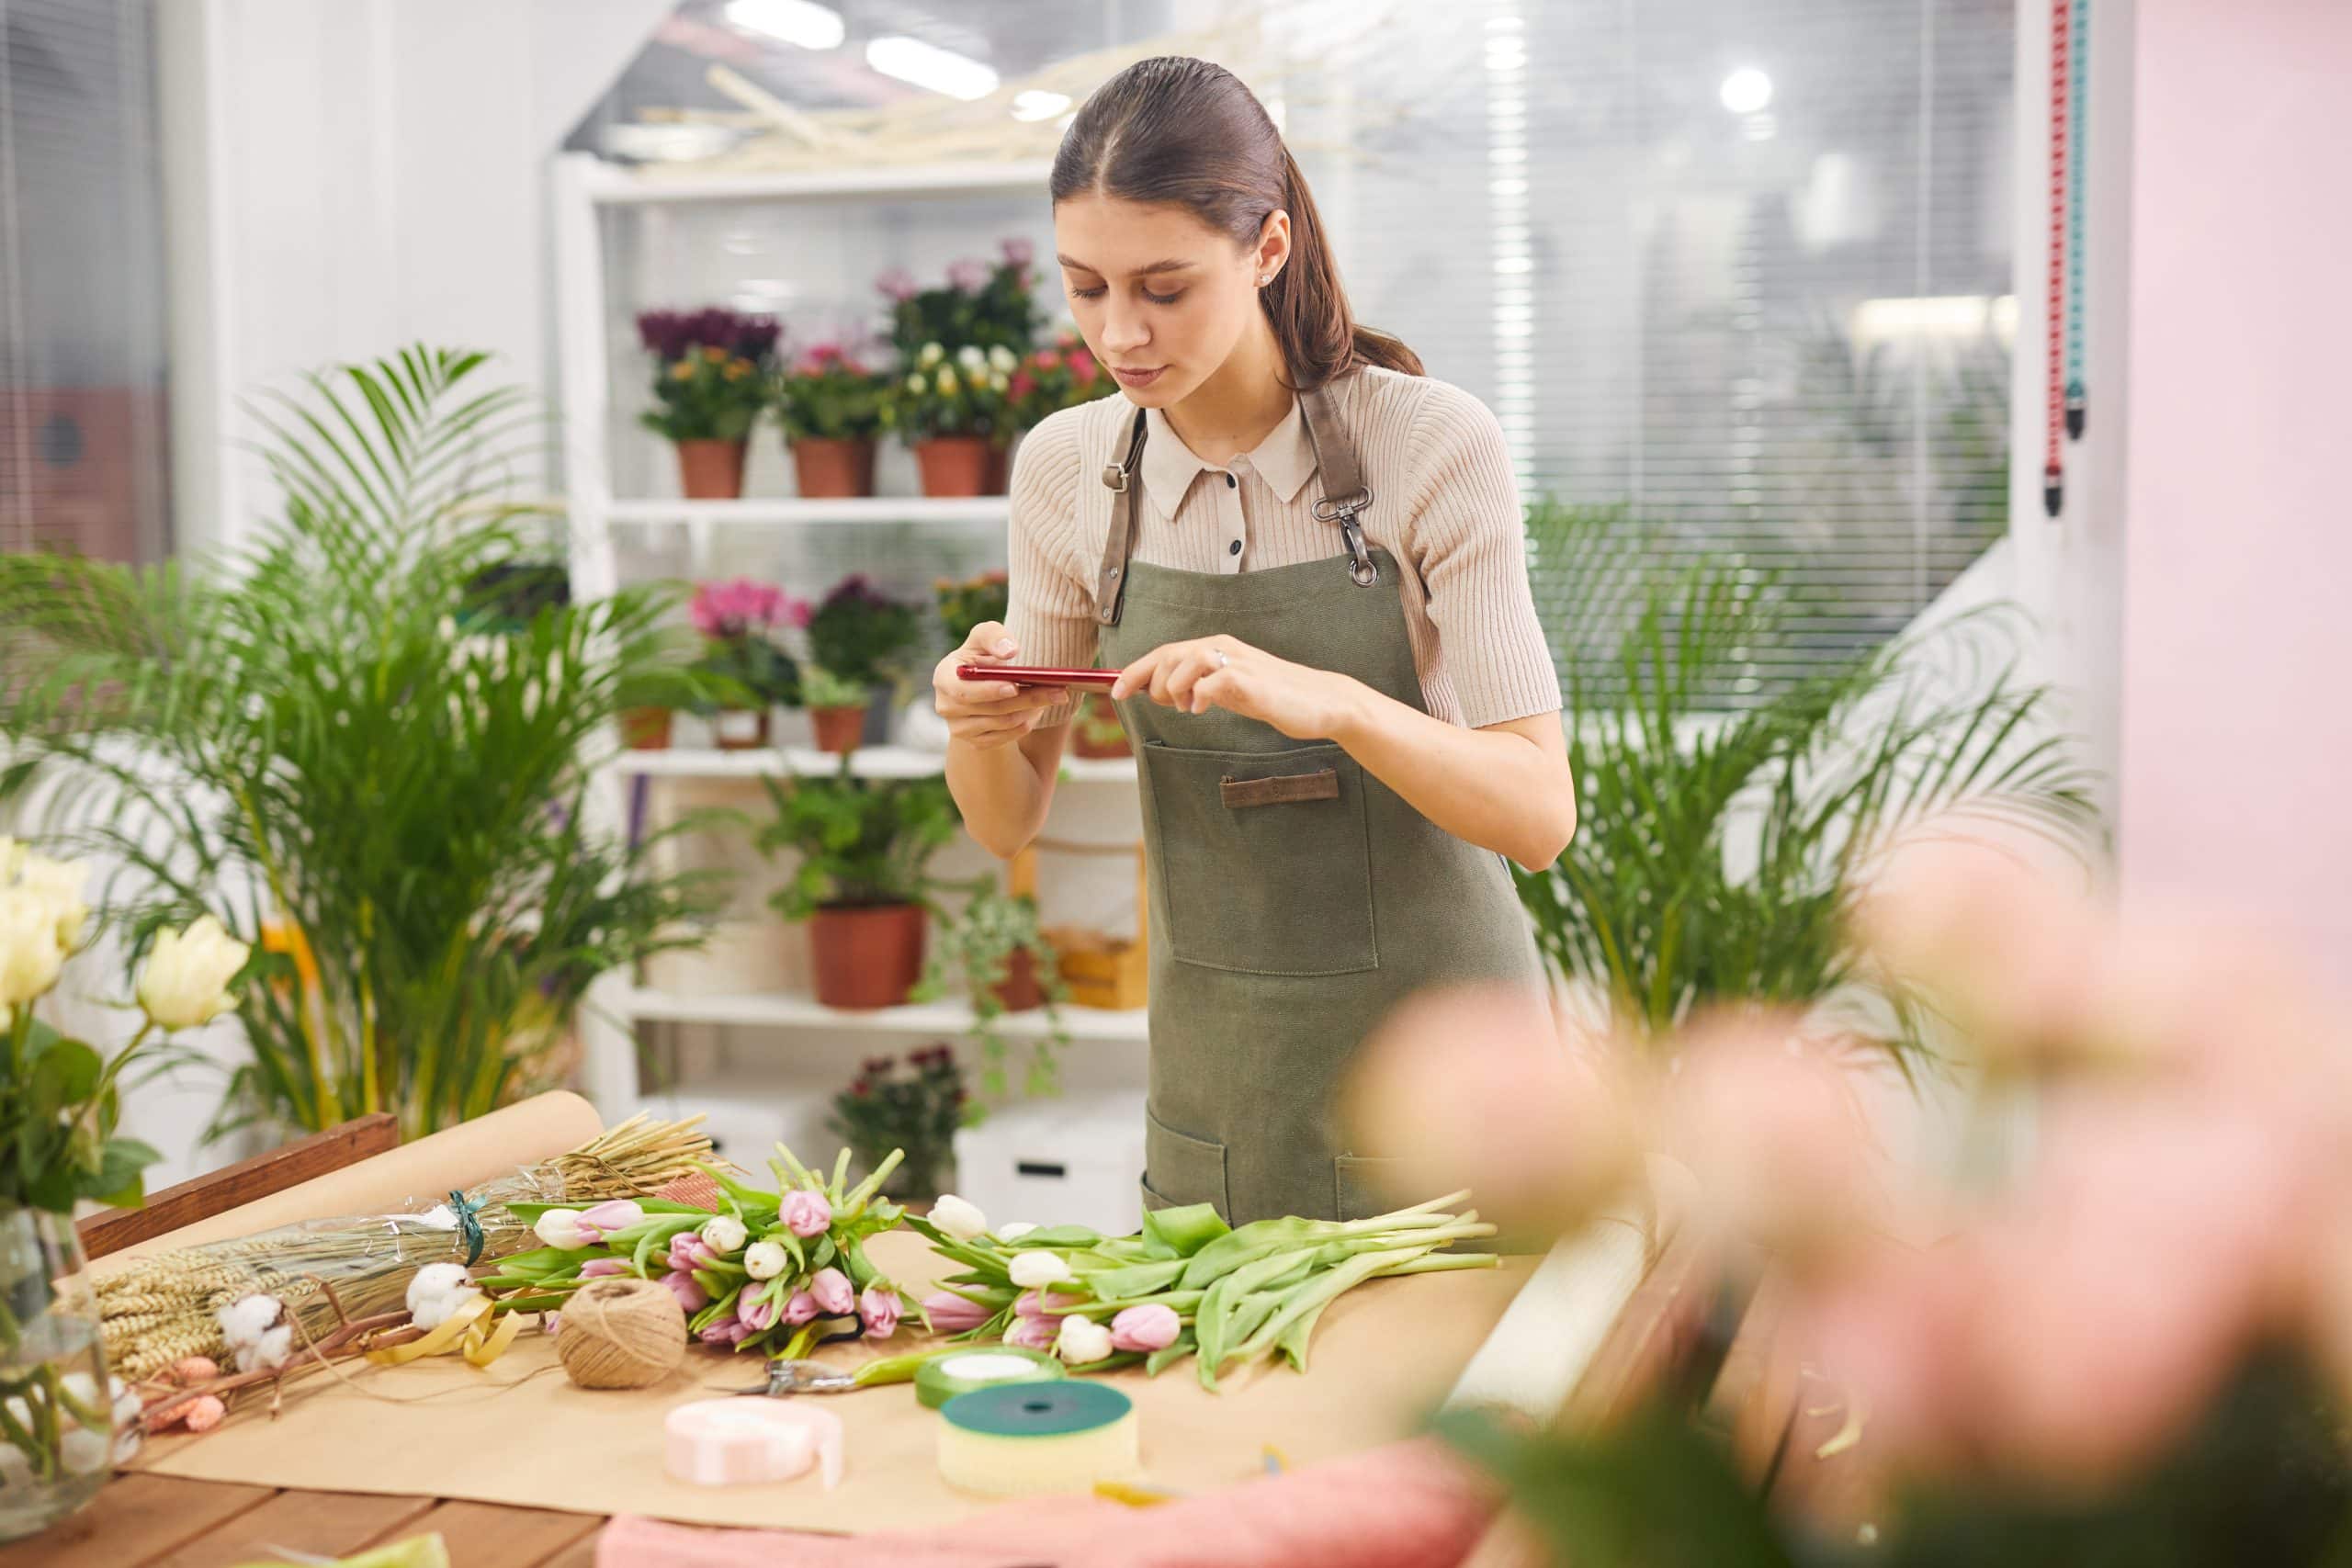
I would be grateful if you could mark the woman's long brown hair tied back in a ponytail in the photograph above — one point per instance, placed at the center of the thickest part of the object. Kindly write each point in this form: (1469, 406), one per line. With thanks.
(1184, 133)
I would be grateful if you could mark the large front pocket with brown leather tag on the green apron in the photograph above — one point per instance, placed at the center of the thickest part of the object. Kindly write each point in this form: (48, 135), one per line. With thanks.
(1267, 859)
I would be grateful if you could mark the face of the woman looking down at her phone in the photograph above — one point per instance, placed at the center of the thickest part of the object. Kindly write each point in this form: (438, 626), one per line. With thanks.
(1158, 295)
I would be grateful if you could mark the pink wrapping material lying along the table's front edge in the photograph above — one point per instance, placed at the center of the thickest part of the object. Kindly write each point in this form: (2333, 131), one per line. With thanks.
(1410, 1506)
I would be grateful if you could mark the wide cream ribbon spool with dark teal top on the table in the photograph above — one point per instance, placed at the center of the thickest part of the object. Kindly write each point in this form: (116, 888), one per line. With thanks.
(1036, 1440)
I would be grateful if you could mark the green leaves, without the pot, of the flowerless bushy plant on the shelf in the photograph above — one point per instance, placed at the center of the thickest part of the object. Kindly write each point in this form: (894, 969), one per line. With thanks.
(862, 840)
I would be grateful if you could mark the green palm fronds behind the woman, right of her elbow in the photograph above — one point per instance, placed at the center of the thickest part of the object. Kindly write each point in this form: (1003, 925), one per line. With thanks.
(1720, 855)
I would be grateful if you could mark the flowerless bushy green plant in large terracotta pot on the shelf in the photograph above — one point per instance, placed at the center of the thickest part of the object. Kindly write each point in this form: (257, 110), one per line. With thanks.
(862, 885)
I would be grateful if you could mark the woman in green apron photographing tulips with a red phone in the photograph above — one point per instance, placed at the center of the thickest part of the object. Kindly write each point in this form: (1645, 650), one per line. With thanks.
(1307, 563)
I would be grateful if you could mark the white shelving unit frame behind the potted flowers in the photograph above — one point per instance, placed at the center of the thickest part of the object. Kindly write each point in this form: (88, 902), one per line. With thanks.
(584, 192)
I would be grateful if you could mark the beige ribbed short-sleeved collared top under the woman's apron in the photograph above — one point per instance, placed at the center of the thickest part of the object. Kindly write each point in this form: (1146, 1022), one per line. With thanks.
(1443, 502)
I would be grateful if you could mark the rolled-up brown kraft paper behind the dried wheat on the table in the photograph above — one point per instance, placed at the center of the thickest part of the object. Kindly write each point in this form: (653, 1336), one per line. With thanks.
(457, 1158)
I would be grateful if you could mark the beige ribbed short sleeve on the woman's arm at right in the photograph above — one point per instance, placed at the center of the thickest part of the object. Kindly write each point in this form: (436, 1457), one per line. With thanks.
(1469, 542)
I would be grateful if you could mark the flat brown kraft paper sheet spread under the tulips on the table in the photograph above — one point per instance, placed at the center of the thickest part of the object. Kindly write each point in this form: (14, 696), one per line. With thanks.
(519, 1433)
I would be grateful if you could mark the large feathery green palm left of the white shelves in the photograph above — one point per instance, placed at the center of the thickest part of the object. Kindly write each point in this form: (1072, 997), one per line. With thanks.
(305, 744)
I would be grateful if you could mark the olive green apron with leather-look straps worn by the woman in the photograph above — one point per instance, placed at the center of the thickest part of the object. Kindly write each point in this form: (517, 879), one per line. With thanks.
(1295, 897)
